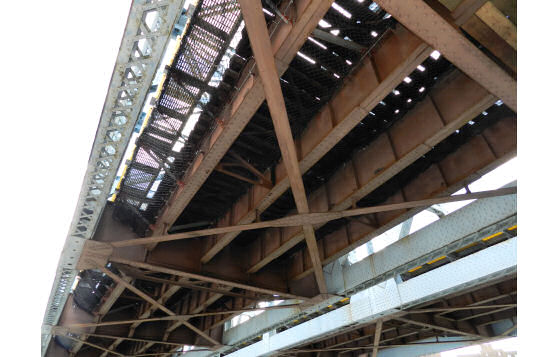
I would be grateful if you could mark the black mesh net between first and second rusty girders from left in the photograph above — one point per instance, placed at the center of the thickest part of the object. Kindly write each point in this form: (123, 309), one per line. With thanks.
(345, 35)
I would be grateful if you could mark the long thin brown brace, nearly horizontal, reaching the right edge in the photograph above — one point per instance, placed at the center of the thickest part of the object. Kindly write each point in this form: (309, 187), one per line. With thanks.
(312, 218)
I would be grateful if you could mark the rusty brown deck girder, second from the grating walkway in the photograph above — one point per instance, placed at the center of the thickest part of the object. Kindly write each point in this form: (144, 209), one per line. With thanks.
(396, 58)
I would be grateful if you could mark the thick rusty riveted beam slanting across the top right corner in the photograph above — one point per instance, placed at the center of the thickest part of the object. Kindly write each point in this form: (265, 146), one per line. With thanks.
(433, 29)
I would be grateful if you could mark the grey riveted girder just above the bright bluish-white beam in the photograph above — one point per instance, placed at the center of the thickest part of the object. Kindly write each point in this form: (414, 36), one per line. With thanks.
(470, 224)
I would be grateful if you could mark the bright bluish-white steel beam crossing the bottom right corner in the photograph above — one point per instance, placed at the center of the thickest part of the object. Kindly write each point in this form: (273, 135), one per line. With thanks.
(387, 299)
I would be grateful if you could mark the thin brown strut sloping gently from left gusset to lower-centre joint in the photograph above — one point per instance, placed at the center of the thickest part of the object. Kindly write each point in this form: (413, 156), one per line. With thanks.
(159, 269)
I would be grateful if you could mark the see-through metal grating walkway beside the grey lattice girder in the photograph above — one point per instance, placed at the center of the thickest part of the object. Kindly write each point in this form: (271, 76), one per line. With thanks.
(164, 150)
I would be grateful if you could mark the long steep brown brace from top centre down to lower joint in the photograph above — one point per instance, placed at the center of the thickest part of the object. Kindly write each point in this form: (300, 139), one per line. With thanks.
(262, 50)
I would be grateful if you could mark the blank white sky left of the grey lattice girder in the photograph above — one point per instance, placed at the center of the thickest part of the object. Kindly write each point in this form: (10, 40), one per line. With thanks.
(55, 77)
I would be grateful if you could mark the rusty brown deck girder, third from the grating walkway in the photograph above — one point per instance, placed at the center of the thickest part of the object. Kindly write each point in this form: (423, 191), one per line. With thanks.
(431, 121)
